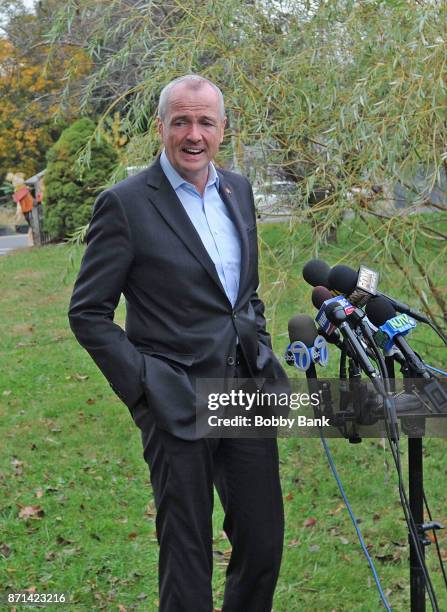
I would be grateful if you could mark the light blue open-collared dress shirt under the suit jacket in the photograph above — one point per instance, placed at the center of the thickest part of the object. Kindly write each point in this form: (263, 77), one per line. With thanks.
(213, 223)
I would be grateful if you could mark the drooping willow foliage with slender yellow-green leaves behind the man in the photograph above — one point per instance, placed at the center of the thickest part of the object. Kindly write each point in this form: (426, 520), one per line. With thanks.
(346, 99)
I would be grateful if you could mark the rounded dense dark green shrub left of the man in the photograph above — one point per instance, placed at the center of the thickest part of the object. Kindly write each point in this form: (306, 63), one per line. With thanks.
(70, 191)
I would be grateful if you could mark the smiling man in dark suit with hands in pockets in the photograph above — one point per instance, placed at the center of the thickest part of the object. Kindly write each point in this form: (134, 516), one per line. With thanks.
(179, 241)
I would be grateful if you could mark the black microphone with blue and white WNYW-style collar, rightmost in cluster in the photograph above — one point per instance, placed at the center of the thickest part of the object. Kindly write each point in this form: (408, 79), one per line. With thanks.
(392, 329)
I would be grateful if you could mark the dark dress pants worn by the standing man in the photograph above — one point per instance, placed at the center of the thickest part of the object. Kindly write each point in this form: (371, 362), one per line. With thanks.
(245, 472)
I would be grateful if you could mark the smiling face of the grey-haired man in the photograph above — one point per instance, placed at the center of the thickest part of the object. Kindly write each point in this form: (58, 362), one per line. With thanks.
(192, 131)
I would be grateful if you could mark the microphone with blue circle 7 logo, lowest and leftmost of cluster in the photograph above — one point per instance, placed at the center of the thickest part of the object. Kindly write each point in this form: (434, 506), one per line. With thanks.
(306, 347)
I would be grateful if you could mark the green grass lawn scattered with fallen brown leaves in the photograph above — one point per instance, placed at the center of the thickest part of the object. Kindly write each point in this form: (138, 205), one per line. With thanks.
(76, 508)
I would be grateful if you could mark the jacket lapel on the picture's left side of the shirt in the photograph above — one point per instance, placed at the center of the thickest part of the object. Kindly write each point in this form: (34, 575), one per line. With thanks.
(170, 208)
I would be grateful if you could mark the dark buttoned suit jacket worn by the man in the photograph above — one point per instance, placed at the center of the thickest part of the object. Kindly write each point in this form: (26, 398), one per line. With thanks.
(180, 325)
